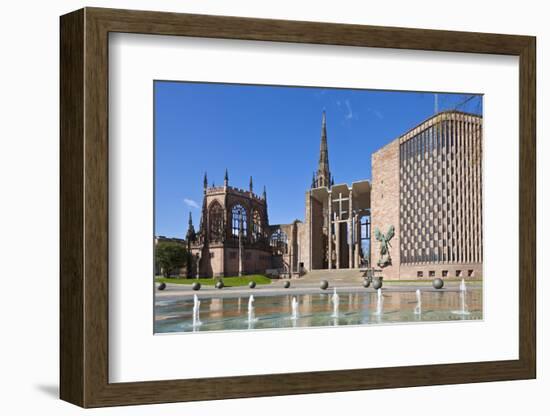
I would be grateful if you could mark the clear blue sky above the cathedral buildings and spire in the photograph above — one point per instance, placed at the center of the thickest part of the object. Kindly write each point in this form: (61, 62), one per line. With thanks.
(273, 134)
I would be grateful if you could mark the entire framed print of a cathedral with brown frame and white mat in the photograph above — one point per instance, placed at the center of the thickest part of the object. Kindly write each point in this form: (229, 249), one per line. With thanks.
(291, 207)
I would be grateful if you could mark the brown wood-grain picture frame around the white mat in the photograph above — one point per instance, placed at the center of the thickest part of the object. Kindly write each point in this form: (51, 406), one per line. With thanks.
(84, 207)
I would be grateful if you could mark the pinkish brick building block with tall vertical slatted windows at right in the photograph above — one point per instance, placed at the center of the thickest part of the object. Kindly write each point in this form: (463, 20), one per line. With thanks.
(428, 183)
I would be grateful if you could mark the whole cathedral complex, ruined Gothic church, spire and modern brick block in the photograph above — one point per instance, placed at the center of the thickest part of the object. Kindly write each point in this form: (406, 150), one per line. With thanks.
(419, 217)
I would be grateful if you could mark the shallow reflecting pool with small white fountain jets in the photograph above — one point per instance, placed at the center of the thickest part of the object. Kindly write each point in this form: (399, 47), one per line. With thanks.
(213, 313)
